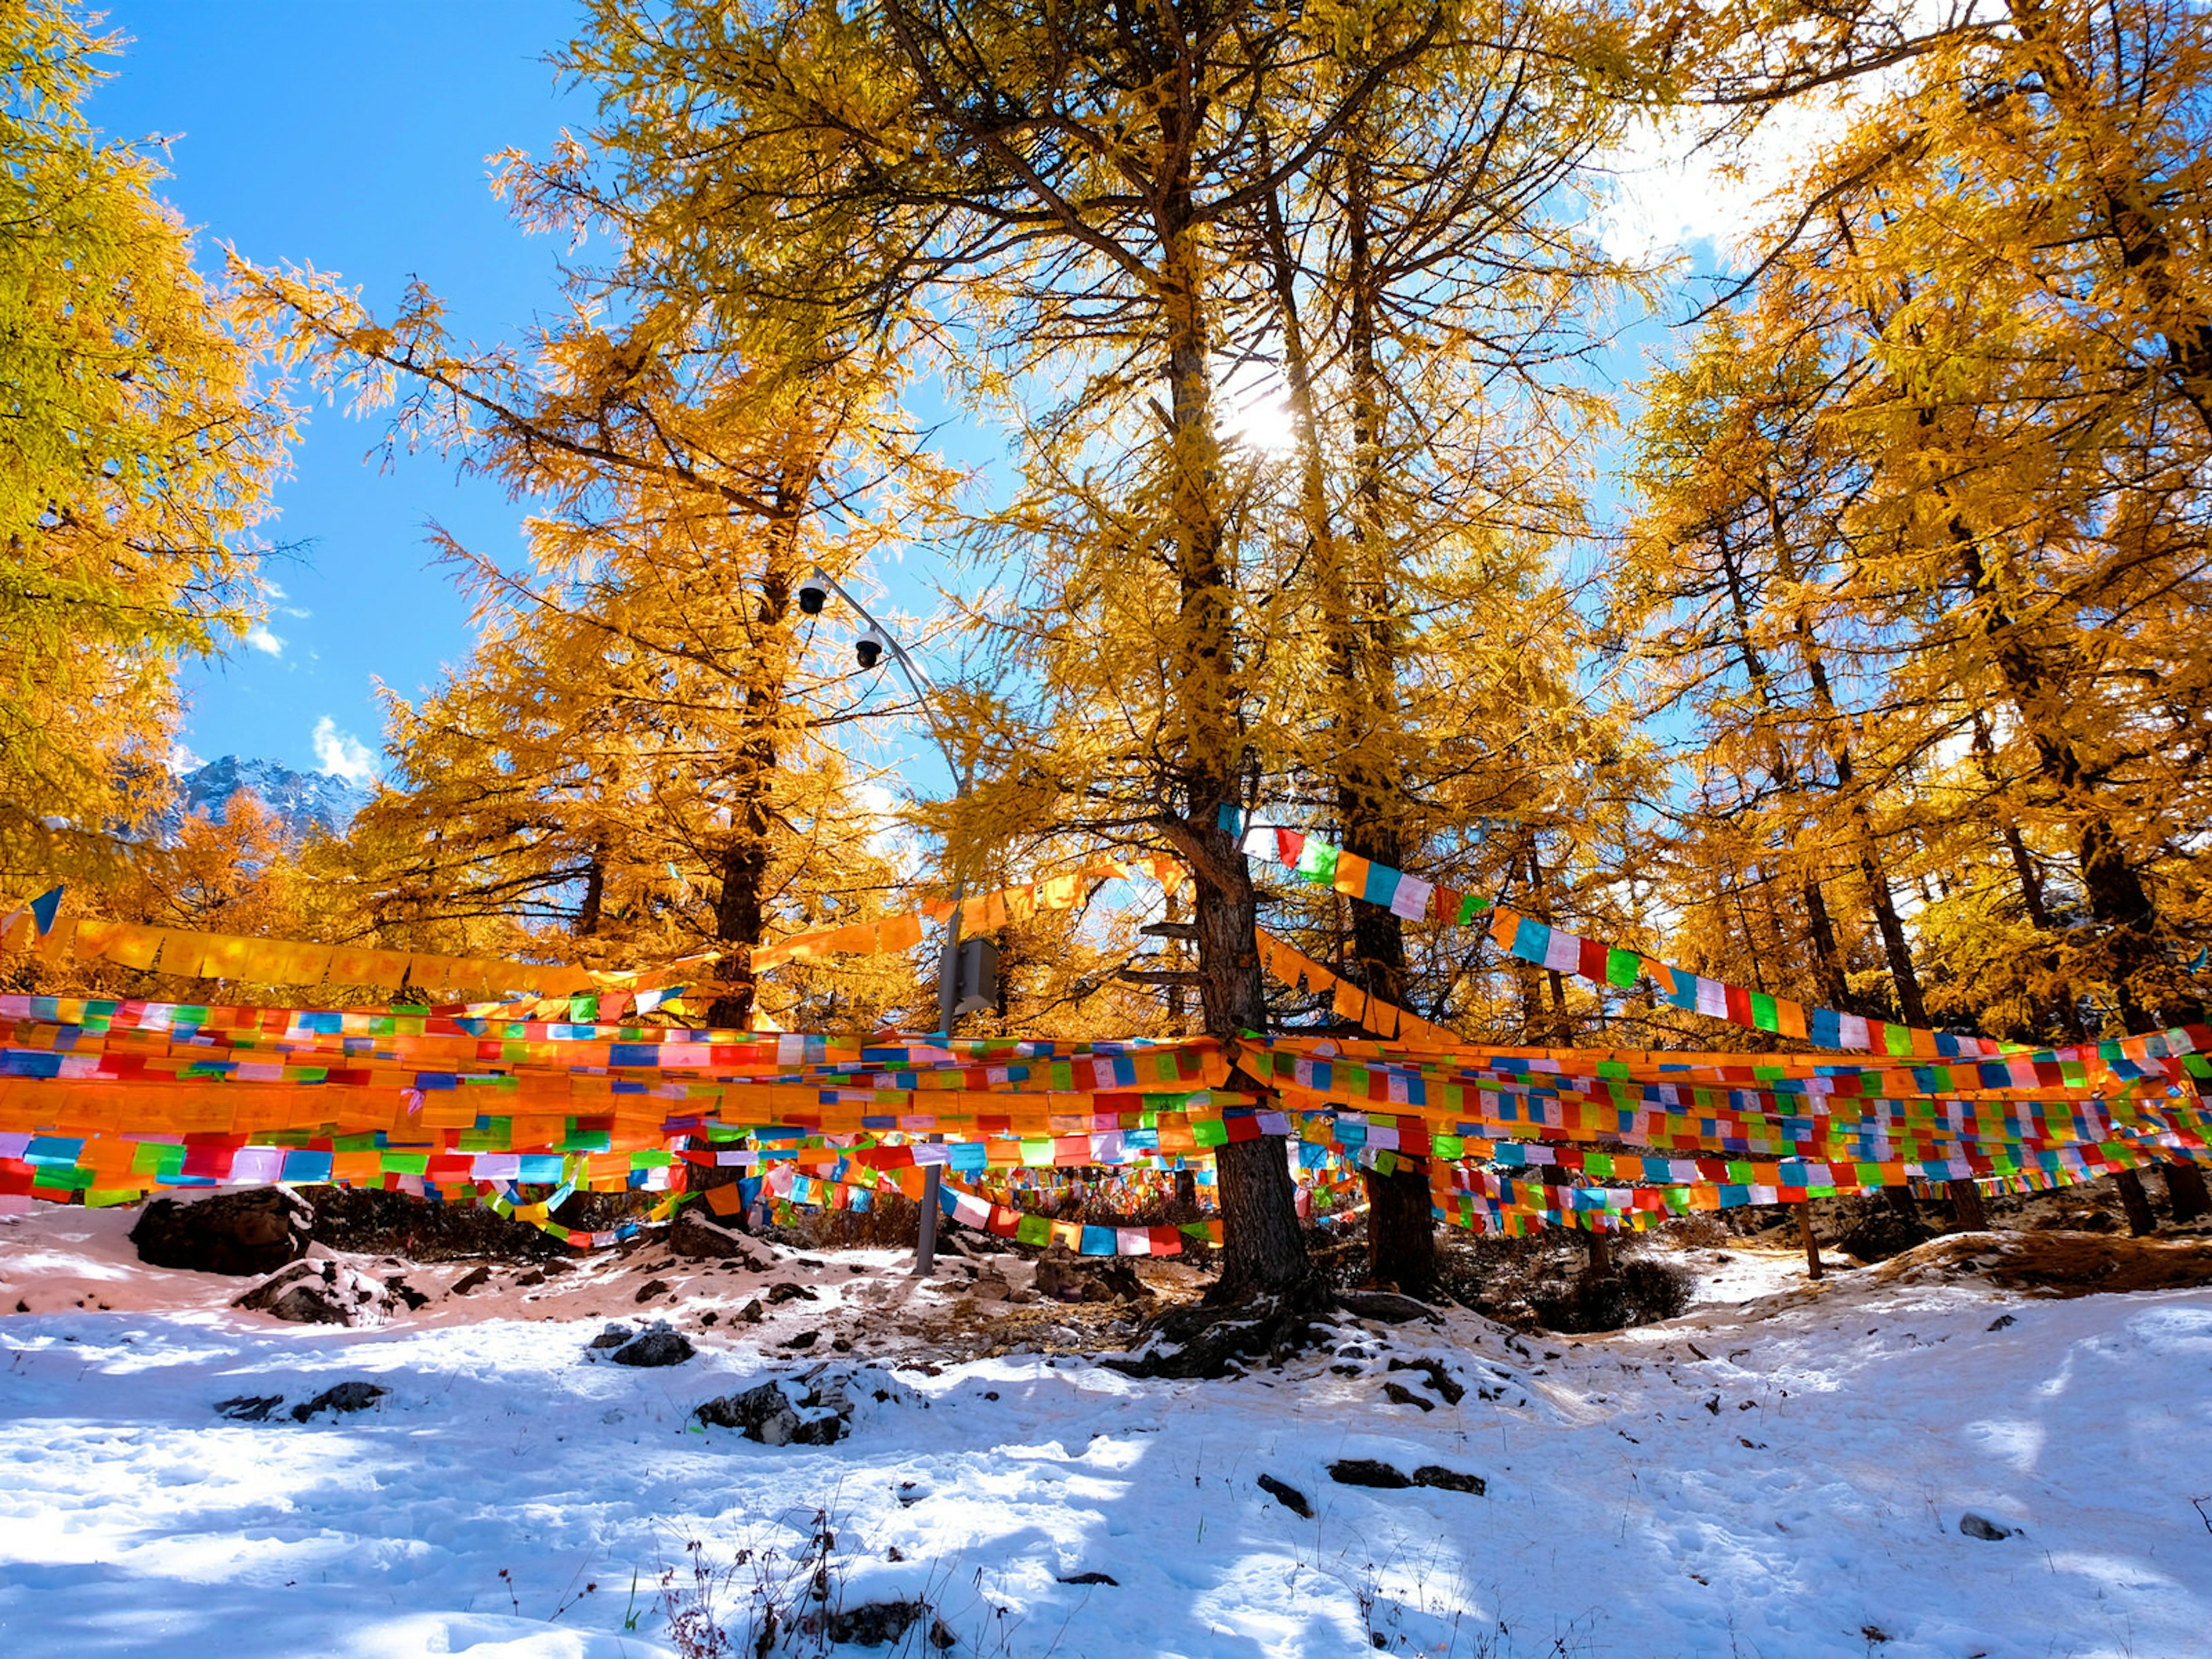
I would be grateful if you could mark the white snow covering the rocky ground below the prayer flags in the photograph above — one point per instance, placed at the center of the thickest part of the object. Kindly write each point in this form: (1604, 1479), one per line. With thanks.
(1749, 1483)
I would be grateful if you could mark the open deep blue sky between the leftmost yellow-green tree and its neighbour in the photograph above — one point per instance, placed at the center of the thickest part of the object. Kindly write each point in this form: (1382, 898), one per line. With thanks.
(353, 138)
